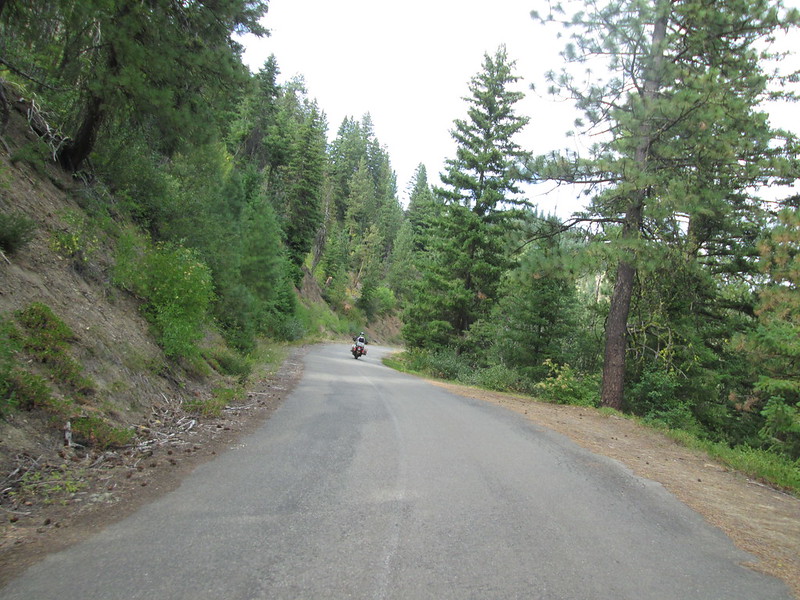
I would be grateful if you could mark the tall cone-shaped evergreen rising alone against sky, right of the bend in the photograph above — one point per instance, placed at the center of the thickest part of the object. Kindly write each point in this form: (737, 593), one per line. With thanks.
(468, 254)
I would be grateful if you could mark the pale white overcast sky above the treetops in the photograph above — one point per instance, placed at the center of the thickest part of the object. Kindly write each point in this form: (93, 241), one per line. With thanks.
(409, 63)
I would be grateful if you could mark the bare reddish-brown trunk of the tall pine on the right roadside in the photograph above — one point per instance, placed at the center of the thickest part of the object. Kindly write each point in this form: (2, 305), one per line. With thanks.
(617, 325)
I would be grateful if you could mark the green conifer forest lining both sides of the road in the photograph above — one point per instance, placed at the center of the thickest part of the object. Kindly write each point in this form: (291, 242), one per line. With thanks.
(672, 297)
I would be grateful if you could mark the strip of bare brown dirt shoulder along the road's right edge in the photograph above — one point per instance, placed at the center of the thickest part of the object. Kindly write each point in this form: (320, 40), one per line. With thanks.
(760, 520)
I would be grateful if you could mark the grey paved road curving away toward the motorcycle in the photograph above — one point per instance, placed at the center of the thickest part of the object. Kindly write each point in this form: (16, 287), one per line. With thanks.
(371, 484)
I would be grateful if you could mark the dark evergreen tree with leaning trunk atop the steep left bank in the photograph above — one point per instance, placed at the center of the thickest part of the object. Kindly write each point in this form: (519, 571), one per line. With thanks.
(163, 64)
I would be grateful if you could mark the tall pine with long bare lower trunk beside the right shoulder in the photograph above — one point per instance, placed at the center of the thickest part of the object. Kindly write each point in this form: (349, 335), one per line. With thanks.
(685, 141)
